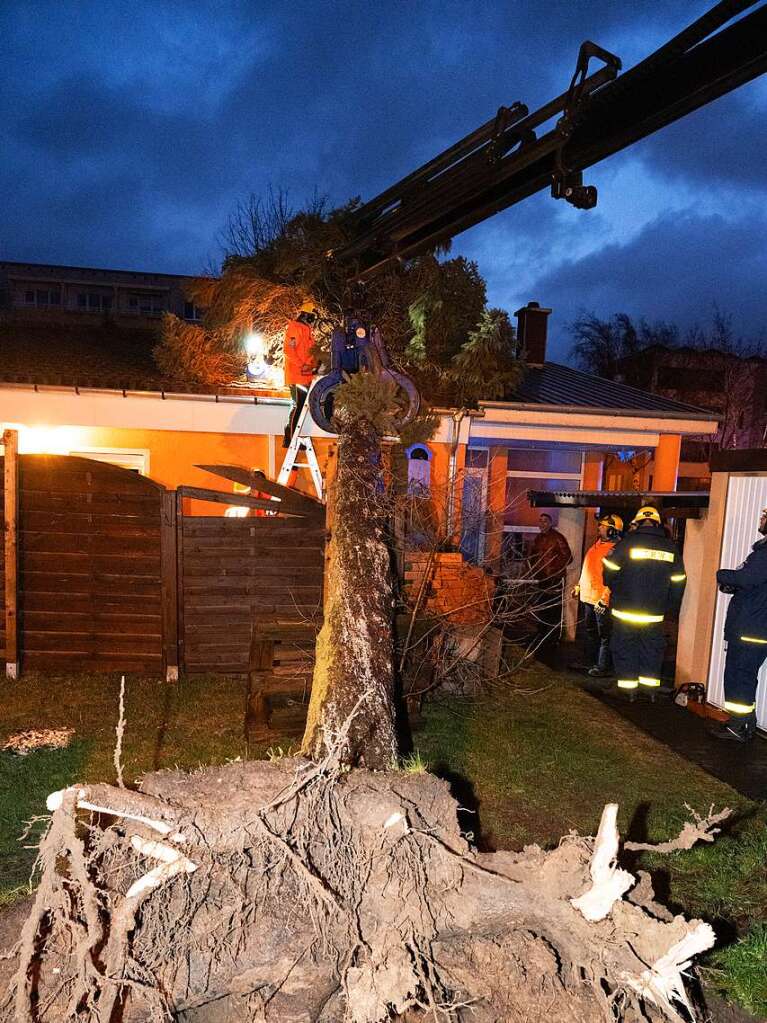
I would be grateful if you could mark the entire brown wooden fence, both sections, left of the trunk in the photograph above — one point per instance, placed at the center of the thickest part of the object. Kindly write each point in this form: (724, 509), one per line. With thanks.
(104, 572)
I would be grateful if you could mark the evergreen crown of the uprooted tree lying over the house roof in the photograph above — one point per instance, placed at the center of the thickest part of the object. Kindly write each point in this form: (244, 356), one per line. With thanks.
(427, 308)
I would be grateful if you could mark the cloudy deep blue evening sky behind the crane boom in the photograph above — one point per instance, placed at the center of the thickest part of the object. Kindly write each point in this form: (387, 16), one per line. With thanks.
(129, 130)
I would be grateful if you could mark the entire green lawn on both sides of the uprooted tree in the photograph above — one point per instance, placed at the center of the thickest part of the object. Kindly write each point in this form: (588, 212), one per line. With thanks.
(534, 767)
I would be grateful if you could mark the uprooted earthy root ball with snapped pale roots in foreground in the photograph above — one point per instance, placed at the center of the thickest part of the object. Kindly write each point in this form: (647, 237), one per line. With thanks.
(299, 893)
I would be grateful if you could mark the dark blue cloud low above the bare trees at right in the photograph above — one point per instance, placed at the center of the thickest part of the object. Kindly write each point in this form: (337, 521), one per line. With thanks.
(678, 270)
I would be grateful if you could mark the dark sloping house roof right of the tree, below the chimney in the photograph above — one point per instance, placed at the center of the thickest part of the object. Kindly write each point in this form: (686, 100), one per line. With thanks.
(556, 385)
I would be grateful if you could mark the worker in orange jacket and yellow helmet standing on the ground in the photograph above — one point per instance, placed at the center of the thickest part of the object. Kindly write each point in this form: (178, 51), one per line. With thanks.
(595, 597)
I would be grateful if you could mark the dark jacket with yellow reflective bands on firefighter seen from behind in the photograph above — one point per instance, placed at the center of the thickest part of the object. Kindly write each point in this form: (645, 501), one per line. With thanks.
(646, 575)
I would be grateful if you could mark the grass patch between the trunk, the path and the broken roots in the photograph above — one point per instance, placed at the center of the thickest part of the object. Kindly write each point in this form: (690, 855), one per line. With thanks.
(544, 765)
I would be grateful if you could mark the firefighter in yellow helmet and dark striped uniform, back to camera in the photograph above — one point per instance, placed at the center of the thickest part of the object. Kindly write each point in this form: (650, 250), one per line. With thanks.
(647, 580)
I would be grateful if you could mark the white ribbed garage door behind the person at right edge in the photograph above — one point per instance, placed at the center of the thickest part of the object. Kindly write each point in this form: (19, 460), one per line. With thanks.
(747, 496)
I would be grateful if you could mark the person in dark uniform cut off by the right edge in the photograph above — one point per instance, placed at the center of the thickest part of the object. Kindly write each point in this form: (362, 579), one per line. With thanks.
(746, 636)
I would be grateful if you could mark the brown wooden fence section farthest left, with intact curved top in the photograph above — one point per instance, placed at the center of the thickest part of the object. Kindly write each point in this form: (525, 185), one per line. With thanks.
(88, 567)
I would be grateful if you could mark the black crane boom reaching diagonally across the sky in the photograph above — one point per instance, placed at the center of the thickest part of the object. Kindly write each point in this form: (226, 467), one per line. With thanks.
(506, 161)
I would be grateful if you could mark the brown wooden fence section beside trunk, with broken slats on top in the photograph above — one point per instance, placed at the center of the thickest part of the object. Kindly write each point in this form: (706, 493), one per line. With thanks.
(252, 581)
